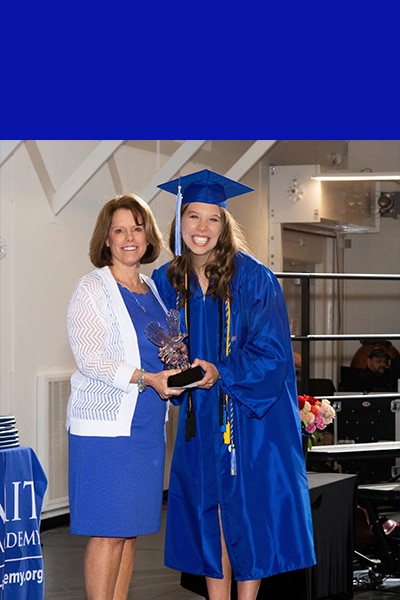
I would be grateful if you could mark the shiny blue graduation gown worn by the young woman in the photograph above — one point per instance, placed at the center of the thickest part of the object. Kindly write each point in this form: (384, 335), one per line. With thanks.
(265, 507)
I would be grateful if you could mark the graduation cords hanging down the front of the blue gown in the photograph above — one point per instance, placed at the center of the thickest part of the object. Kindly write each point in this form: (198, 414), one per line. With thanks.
(225, 404)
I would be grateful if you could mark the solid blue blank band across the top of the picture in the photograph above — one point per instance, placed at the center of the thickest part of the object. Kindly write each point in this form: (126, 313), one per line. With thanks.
(214, 72)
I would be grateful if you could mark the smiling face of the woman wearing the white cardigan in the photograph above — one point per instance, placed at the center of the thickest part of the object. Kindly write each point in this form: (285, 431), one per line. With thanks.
(126, 239)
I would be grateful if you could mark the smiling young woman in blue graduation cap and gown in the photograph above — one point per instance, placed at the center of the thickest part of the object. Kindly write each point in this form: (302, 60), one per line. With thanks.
(238, 501)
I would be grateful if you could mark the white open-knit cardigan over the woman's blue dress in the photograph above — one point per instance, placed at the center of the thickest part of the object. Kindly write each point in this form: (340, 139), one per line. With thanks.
(105, 347)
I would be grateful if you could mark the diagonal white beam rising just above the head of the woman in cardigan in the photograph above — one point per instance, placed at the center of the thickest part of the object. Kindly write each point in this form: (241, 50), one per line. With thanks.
(86, 170)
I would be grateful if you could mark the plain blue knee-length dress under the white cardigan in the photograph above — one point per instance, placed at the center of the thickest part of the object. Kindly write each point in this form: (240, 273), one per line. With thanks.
(117, 491)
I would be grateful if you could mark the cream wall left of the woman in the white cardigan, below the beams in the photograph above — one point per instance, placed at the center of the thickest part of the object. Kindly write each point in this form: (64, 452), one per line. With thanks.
(46, 255)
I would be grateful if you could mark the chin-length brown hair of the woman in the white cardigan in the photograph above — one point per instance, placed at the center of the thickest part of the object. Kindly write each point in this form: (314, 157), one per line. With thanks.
(99, 252)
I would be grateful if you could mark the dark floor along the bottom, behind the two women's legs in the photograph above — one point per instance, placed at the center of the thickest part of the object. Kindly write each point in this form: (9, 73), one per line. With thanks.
(63, 559)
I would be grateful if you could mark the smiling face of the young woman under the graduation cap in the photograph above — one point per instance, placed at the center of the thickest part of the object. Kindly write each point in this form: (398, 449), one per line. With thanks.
(201, 228)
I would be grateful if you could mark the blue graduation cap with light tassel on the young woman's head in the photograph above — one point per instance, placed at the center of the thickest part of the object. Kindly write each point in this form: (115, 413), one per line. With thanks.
(203, 186)
